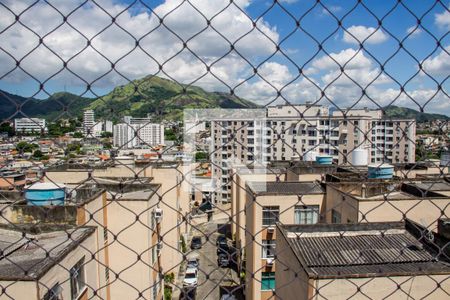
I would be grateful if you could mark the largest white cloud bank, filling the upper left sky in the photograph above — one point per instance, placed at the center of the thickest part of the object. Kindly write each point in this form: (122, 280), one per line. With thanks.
(158, 45)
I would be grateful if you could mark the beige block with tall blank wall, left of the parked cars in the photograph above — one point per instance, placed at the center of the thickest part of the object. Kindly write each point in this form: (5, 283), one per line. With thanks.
(128, 217)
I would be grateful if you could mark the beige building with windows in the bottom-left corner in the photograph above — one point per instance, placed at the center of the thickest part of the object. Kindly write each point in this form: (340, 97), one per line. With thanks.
(48, 262)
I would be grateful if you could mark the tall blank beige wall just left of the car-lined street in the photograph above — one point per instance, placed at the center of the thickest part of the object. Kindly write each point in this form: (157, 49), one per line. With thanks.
(130, 250)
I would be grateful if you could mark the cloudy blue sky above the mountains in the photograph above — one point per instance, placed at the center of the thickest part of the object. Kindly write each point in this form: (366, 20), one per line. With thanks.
(344, 53)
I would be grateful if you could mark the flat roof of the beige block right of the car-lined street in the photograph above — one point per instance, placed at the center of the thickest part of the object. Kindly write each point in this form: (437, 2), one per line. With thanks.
(285, 188)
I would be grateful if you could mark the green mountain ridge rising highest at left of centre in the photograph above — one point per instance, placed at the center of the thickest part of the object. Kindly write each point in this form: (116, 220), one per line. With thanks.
(162, 98)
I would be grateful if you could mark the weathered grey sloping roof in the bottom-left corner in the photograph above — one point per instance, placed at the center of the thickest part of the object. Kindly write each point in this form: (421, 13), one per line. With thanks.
(29, 256)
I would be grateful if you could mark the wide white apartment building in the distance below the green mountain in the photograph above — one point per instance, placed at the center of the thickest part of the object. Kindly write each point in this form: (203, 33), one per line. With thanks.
(137, 132)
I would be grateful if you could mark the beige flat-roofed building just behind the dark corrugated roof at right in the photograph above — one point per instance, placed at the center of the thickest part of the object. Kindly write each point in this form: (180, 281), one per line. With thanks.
(385, 201)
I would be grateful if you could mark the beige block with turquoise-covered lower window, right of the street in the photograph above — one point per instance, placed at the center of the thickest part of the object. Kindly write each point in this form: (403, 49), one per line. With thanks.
(266, 204)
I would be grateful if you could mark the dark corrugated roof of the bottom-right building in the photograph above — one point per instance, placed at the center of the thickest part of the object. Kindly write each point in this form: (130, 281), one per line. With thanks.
(362, 250)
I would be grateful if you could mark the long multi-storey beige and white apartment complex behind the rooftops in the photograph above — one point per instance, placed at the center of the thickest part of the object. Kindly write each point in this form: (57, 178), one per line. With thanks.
(293, 131)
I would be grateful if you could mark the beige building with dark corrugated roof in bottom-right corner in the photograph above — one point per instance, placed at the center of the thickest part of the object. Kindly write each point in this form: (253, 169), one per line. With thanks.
(388, 260)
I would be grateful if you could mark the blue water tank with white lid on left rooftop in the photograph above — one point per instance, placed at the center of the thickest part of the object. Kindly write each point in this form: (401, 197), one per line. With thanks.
(47, 193)
